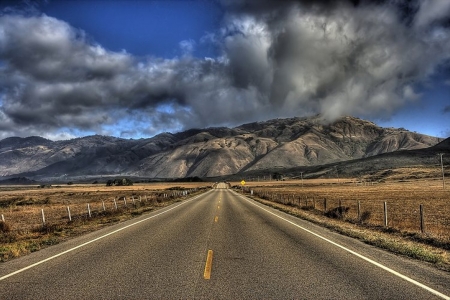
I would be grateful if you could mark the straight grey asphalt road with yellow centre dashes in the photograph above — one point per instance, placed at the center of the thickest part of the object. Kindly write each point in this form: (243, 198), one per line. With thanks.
(219, 245)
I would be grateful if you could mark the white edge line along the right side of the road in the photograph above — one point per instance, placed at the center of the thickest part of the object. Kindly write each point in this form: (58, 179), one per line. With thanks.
(354, 253)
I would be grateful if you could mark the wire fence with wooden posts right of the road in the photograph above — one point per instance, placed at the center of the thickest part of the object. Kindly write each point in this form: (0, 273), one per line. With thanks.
(424, 216)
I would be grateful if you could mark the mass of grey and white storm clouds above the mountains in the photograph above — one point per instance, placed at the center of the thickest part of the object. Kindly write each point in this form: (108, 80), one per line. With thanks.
(278, 59)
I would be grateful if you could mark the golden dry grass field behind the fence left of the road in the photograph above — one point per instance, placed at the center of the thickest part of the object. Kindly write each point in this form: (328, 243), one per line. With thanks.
(21, 205)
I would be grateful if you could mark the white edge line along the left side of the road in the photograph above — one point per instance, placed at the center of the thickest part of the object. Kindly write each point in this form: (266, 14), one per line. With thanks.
(94, 240)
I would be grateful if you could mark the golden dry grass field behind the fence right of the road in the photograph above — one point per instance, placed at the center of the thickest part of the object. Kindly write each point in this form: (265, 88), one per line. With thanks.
(403, 200)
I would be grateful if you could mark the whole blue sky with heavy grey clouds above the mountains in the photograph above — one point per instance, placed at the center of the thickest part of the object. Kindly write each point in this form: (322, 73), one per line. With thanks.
(134, 69)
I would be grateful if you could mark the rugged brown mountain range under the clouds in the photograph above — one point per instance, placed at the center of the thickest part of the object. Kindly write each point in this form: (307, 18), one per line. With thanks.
(210, 152)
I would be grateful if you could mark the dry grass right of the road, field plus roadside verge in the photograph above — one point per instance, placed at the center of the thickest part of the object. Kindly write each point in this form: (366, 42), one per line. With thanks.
(403, 233)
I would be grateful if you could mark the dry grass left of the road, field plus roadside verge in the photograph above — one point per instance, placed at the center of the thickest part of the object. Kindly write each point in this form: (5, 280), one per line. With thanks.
(23, 229)
